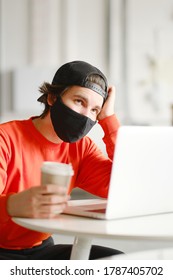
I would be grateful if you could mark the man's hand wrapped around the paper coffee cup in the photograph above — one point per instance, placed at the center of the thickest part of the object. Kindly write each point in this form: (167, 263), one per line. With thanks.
(38, 202)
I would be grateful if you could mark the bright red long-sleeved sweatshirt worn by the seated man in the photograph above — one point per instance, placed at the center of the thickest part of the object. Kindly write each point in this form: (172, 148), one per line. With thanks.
(22, 152)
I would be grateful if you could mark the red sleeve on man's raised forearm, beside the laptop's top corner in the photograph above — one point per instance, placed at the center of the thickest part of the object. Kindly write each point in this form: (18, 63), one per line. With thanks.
(110, 127)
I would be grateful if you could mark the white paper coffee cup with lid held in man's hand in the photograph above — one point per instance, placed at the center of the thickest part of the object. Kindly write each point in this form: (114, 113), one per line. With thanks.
(56, 173)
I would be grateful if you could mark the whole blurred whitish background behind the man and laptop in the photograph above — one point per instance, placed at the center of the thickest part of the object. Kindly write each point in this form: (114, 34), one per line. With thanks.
(131, 41)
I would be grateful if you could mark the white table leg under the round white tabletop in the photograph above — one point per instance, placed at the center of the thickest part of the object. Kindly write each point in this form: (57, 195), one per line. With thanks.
(81, 248)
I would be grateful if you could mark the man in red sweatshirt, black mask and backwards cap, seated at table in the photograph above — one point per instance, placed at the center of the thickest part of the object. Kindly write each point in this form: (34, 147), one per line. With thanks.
(77, 98)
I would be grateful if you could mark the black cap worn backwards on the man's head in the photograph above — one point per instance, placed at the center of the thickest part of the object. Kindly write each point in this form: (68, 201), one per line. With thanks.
(77, 73)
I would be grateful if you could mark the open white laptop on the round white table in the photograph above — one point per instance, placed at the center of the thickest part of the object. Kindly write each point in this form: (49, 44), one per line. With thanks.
(141, 178)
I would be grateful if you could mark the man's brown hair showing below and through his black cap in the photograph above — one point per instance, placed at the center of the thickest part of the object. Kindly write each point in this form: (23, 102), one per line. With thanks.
(57, 90)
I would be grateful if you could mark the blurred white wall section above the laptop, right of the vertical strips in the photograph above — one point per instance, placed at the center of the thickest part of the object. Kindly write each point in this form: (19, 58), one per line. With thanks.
(150, 61)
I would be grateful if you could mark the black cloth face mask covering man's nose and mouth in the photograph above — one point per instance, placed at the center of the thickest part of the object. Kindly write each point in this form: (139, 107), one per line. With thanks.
(69, 125)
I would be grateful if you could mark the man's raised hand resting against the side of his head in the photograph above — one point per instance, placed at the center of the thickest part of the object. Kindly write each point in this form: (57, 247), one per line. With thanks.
(109, 105)
